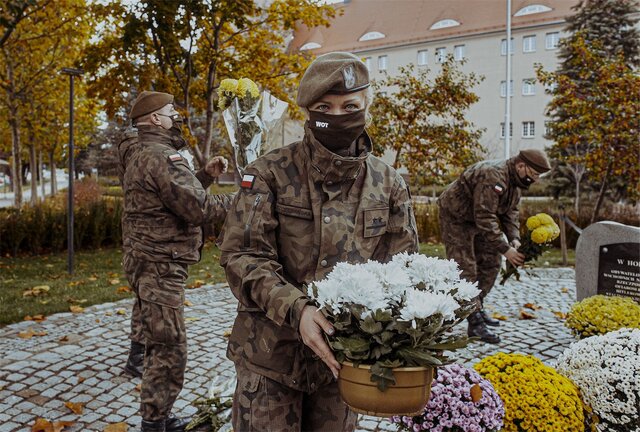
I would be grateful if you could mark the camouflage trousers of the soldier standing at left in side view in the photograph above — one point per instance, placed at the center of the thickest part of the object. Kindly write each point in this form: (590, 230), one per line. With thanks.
(158, 322)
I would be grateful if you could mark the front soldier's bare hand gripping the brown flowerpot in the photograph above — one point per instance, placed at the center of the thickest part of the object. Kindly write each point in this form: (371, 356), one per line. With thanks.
(312, 324)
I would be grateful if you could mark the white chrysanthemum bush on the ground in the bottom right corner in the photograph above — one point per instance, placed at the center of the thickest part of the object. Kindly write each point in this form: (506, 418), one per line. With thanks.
(606, 368)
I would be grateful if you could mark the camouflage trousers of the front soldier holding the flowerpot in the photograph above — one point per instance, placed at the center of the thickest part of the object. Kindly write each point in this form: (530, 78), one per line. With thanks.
(261, 404)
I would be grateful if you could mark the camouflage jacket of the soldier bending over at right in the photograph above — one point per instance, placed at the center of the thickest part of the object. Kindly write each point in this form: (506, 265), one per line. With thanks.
(486, 195)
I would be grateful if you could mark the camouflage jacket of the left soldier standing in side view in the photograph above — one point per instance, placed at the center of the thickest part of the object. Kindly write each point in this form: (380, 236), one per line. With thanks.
(165, 204)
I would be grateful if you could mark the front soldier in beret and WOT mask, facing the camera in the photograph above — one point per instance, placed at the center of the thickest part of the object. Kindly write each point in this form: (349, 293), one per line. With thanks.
(301, 210)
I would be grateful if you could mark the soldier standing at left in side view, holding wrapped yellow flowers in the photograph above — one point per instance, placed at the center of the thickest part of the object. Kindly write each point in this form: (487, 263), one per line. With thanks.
(165, 205)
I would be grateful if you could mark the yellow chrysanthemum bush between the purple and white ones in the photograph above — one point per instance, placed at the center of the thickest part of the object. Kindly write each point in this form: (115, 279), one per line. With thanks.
(535, 396)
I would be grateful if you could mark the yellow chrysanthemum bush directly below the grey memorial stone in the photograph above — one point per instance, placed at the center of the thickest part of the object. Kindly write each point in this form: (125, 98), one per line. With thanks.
(600, 314)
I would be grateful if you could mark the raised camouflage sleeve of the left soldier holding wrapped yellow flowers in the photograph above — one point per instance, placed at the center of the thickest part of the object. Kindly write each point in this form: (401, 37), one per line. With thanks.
(182, 193)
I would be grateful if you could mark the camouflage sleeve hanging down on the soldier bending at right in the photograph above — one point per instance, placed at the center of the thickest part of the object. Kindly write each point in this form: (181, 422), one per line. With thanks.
(485, 208)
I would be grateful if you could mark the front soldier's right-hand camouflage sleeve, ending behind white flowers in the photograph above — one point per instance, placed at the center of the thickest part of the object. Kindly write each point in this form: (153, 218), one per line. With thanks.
(401, 235)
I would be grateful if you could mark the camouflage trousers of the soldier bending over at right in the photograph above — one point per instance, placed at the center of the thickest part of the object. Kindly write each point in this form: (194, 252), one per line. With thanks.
(466, 245)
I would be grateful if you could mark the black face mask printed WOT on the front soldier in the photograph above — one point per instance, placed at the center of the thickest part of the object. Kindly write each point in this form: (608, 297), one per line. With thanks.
(337, 132)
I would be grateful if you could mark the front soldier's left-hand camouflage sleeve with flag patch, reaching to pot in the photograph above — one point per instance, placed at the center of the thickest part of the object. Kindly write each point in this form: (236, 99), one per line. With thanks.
(250, 256)
